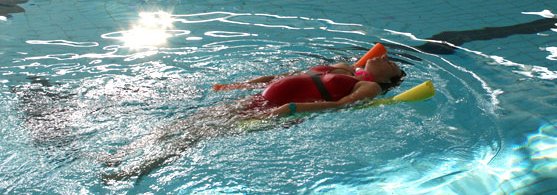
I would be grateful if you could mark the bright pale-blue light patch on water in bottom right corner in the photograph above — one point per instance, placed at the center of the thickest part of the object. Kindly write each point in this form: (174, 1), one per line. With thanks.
(529, 168)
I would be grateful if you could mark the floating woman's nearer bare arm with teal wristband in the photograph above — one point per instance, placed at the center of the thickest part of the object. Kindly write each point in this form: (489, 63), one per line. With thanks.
(361, 91)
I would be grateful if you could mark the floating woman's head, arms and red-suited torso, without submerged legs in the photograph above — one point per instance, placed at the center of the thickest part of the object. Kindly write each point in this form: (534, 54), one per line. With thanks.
(324, 87)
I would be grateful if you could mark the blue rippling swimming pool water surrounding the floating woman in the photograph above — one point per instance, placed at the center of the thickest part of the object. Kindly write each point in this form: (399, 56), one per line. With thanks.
(81, 79)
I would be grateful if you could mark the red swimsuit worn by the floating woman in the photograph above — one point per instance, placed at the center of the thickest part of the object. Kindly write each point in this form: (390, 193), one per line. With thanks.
(302, 88)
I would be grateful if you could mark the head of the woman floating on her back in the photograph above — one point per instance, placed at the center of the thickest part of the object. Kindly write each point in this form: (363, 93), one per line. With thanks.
(385, 72)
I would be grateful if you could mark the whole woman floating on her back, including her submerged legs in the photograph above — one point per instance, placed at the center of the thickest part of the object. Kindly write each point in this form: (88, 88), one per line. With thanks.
(321, 87)
